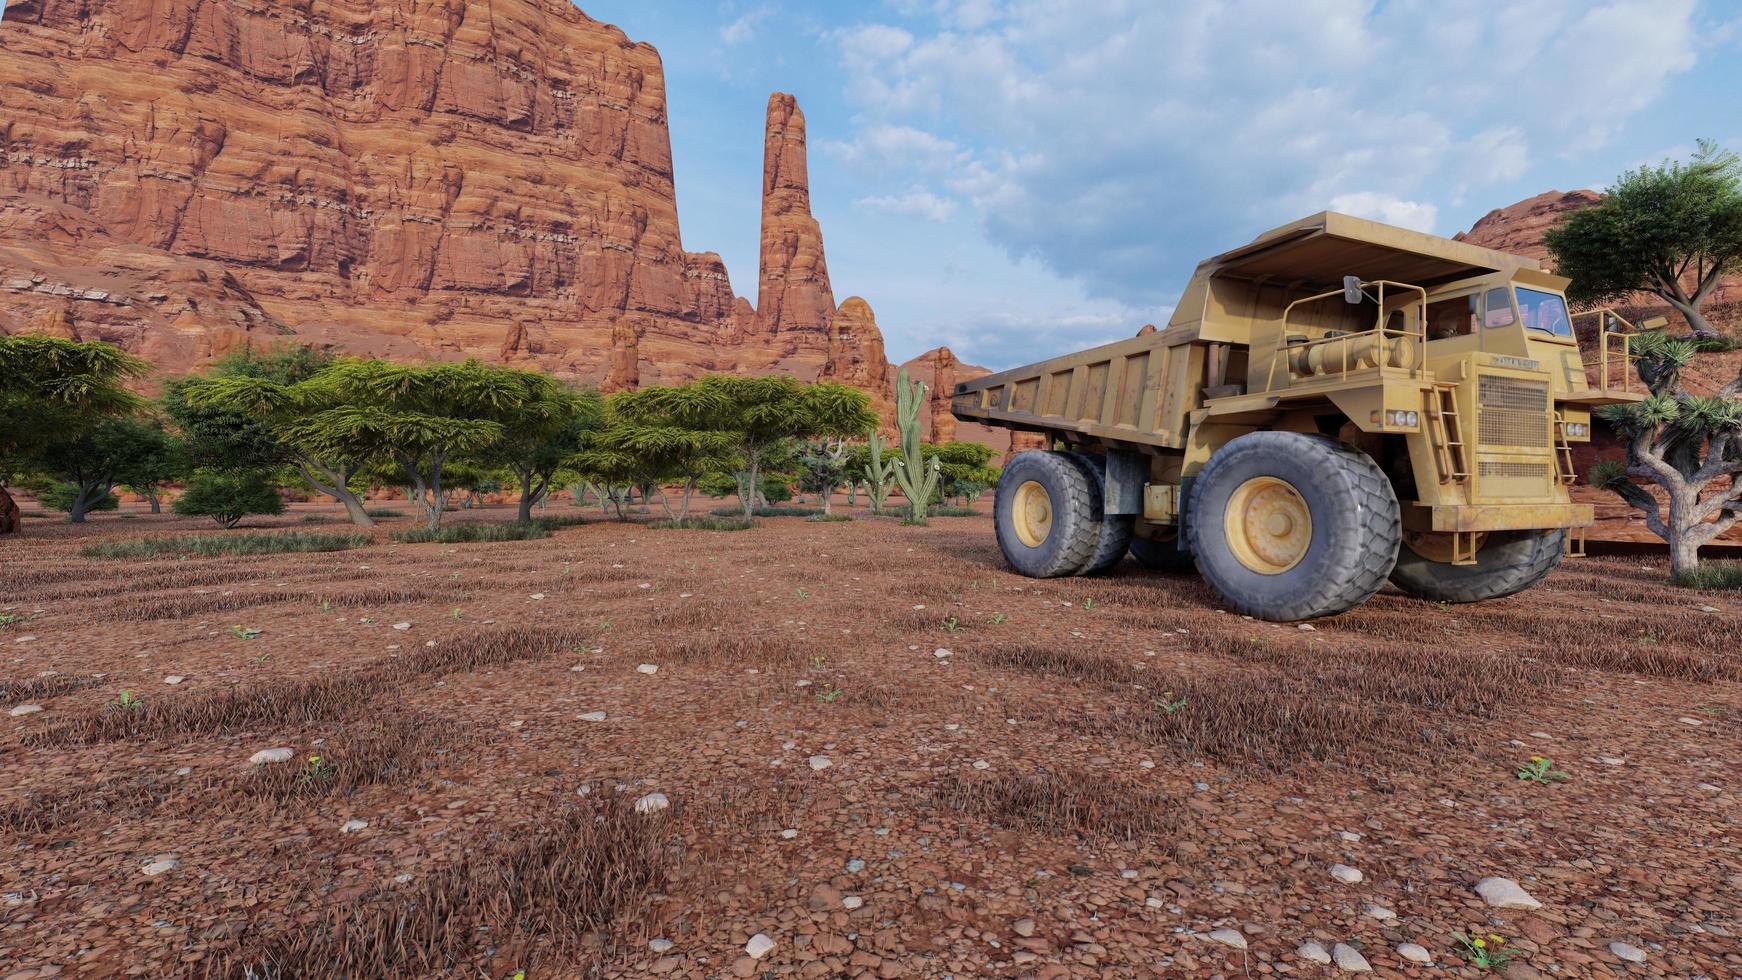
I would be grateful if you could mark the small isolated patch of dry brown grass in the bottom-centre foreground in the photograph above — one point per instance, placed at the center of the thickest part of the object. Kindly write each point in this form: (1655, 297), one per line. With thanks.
(1065, 803)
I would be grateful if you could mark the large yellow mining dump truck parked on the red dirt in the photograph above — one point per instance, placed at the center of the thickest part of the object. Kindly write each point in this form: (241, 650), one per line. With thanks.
(1335, 405)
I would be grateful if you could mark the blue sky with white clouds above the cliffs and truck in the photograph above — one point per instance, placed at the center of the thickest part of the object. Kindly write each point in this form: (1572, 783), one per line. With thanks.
(1020, 178)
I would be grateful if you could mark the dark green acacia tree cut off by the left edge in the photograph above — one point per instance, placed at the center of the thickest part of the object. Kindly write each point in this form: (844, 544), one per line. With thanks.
(55, 391)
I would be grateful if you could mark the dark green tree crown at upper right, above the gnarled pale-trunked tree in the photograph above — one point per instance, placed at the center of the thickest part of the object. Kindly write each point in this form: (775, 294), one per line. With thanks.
(1671, 231)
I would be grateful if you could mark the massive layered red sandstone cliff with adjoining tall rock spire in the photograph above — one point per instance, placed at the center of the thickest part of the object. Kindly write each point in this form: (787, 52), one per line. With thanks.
(396, 178)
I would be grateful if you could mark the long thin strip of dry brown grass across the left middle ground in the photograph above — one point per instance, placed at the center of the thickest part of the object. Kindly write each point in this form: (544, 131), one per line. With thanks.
(311, 701)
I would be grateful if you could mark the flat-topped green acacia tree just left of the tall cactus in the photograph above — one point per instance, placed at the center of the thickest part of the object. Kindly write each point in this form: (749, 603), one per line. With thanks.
(764, 415)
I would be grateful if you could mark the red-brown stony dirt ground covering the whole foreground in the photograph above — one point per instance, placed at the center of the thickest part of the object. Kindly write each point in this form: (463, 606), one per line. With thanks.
(1015, 786)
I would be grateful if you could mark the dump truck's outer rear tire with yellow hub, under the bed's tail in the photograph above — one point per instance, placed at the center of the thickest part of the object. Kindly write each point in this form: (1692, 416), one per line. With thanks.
(1067, 537)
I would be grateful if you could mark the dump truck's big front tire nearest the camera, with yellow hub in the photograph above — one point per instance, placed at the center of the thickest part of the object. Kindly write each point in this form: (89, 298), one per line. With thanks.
(1293, 527)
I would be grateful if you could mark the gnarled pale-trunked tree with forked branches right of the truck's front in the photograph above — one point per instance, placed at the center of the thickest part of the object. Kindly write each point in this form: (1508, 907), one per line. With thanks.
(1687, 445)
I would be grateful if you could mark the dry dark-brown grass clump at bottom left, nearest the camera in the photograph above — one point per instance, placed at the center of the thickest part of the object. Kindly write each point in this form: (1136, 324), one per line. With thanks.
(536, 896)
